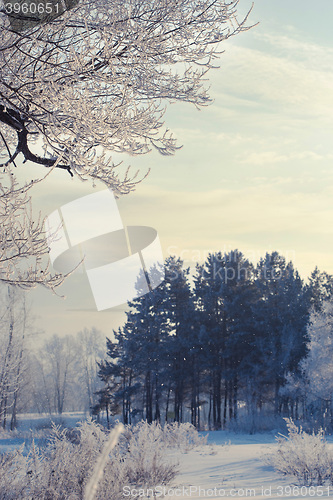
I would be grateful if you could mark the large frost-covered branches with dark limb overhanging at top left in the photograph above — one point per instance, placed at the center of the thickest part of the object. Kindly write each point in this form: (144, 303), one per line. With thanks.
(95, 81)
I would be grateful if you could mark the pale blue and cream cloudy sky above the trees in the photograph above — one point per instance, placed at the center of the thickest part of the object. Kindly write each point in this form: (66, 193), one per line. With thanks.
(256, 168)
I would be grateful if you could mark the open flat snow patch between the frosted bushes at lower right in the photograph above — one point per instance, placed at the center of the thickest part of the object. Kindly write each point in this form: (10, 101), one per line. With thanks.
(235, 470)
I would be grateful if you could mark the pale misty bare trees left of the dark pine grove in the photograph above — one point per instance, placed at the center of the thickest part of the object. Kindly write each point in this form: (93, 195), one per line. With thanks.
(51, 375)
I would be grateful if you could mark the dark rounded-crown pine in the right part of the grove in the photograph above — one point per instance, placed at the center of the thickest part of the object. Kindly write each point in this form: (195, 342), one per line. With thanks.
(281, 317)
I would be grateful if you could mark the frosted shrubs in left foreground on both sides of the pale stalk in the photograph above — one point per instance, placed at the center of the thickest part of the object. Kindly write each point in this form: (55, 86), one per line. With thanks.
(63, 468)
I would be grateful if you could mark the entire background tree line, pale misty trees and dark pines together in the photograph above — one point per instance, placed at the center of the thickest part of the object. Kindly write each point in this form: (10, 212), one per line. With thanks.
(226, 341)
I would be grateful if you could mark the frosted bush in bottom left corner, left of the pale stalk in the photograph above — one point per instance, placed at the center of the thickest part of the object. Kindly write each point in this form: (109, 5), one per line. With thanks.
(56, 472)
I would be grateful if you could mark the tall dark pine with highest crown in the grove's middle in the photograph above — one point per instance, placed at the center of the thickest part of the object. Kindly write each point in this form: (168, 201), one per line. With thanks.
(224, 290)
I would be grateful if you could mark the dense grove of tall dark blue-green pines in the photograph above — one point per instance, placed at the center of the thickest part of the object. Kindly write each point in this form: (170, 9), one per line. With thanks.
(204, 346)
